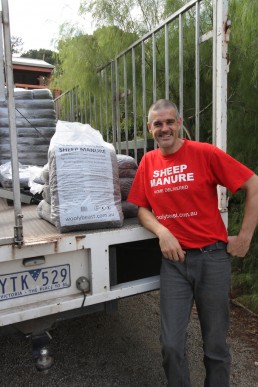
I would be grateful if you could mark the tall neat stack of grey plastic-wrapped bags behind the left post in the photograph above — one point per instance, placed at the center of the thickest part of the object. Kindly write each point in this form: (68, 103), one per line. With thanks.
(35, 124)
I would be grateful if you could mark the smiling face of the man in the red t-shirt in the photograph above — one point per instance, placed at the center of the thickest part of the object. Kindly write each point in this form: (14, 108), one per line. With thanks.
(164, 127)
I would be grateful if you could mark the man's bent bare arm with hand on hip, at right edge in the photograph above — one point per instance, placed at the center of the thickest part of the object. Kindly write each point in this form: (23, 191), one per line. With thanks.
(239, 245)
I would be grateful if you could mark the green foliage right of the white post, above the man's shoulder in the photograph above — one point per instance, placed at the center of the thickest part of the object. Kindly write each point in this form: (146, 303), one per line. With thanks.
(243, 82)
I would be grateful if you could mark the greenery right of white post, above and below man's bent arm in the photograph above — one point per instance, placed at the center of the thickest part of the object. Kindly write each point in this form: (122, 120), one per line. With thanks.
(243, 133)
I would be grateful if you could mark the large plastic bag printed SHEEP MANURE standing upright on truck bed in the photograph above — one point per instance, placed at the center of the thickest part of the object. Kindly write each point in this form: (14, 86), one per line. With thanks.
(83, 179)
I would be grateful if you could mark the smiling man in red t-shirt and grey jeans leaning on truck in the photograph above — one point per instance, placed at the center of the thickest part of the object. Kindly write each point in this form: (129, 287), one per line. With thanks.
(175, 189)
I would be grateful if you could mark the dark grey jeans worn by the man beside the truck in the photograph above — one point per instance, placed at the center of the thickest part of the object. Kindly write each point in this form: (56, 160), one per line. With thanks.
(203, 278)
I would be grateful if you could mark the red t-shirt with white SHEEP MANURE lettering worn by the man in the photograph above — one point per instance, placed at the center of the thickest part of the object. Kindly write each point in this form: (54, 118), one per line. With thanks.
(181, 190)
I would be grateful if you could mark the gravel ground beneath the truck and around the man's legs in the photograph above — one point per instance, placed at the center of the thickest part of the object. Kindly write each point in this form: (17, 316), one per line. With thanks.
(122, 350)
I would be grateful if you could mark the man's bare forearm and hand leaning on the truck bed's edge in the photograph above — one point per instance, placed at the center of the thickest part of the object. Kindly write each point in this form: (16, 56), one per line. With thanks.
(169, 245)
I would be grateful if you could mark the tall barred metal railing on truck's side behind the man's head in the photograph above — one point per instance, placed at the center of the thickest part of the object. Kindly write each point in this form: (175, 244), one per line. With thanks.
(153, 67)
